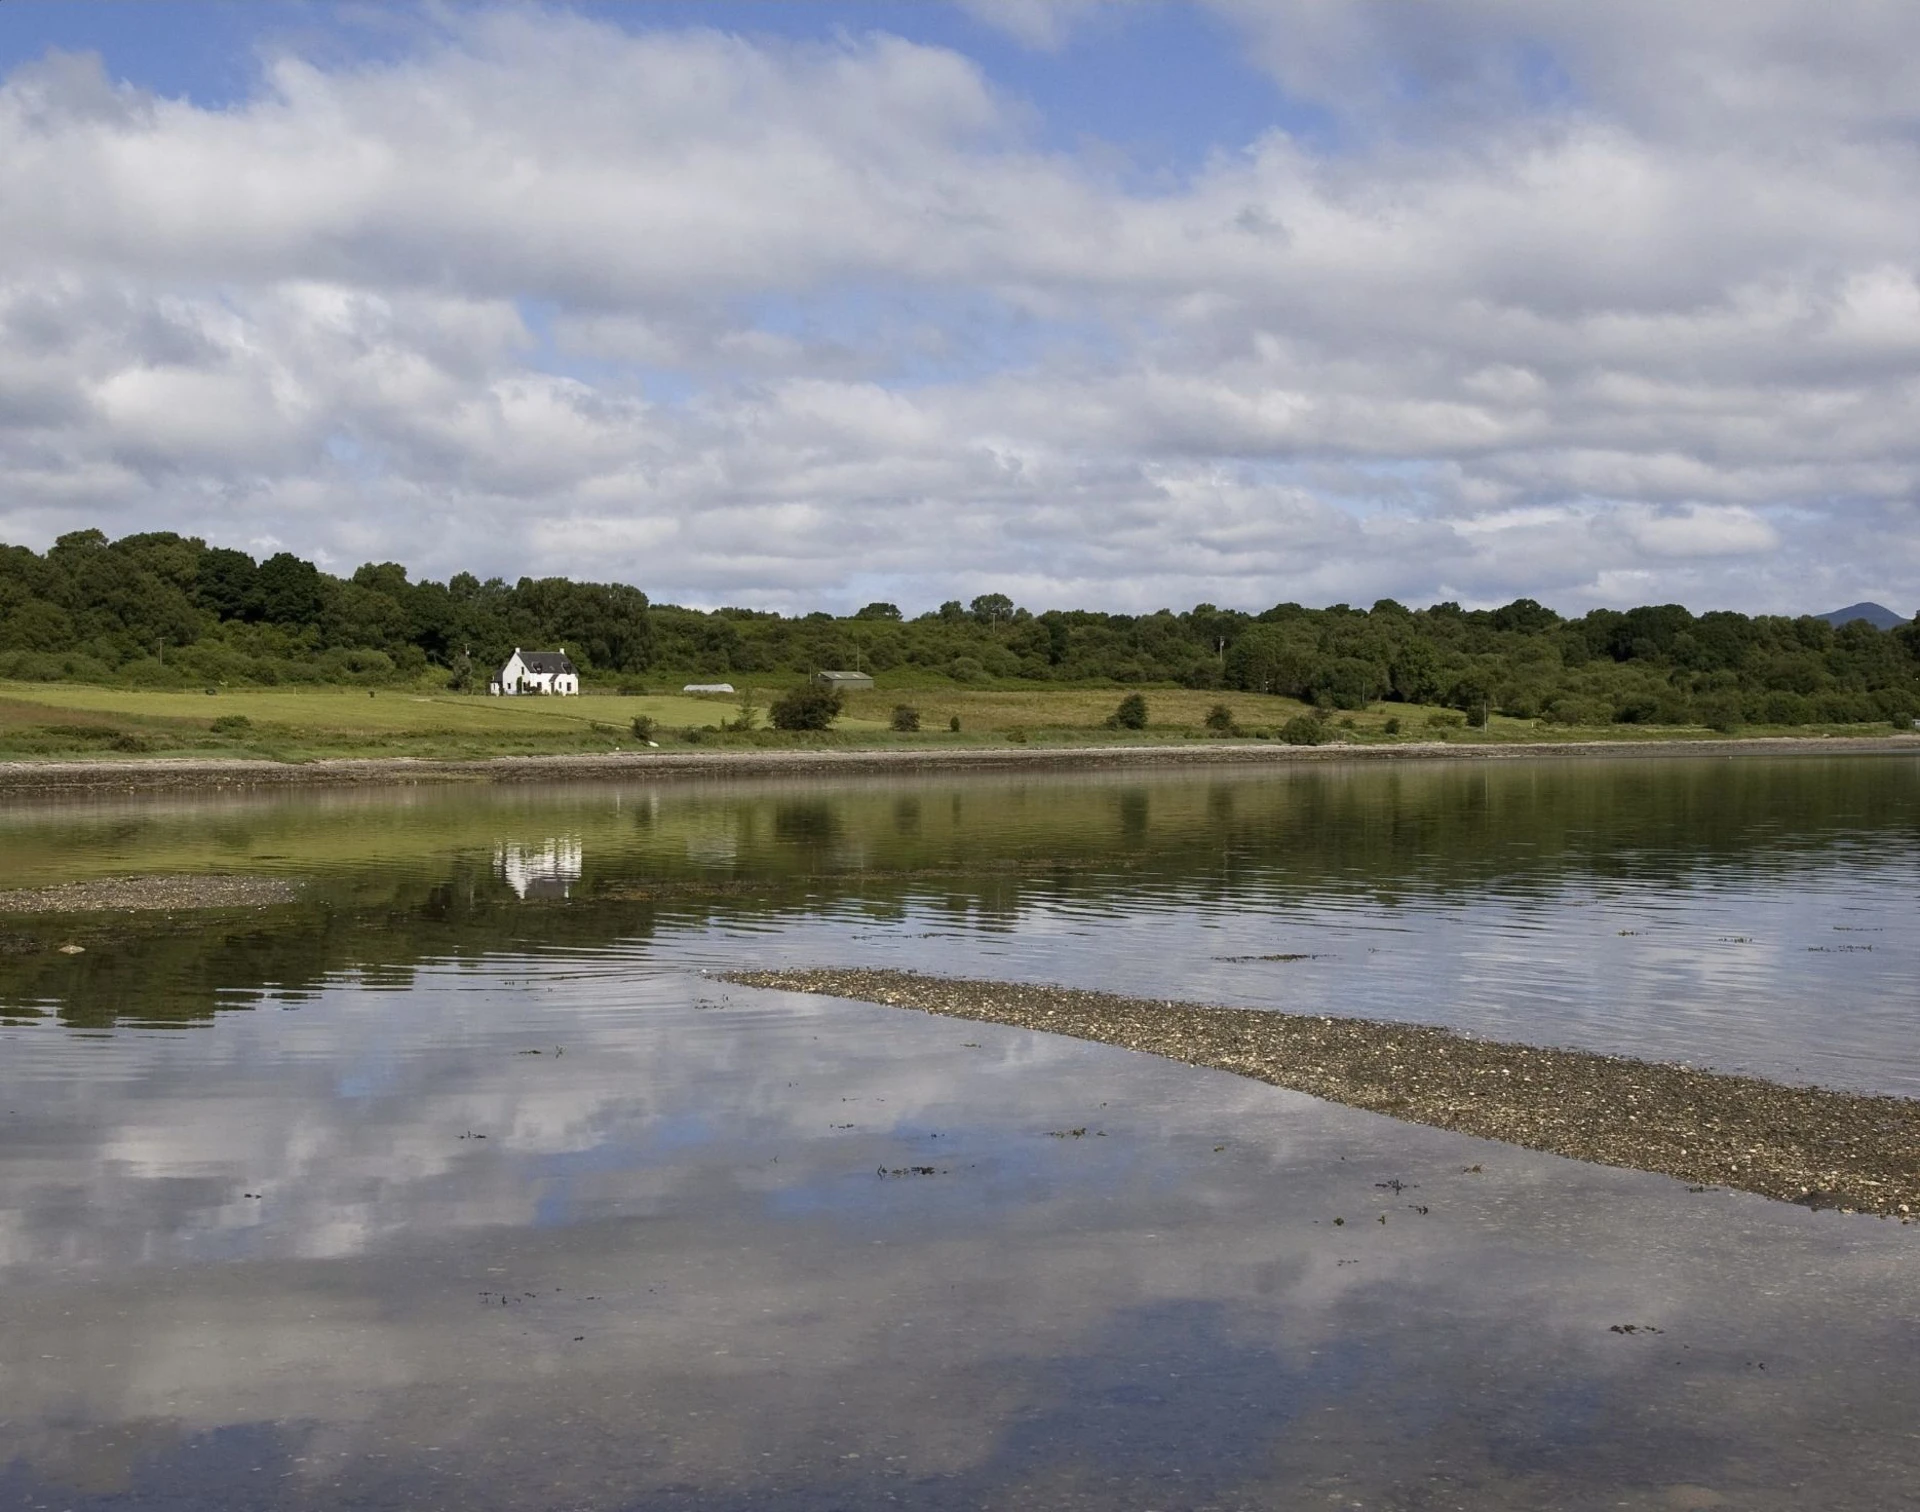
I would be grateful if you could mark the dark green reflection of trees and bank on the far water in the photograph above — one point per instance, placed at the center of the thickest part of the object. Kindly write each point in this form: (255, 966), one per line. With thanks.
(984, 851)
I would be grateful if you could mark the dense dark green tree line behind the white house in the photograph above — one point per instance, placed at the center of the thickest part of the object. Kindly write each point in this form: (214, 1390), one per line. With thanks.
(170, 611)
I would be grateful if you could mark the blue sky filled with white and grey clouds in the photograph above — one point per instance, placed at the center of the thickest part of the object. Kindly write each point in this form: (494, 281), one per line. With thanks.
(1103, 304)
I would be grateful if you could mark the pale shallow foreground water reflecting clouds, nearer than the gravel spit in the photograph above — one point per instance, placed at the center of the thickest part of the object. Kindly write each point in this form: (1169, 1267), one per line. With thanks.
(277, 1265)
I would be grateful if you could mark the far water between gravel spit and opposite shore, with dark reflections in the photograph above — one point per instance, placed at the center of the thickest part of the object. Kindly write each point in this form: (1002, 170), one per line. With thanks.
(1746, 914)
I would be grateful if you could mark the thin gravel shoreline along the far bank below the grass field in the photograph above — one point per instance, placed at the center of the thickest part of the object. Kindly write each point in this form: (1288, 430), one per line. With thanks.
(166, 776)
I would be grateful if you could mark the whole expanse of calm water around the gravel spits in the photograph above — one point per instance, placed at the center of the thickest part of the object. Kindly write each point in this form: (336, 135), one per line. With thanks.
(458, 1185)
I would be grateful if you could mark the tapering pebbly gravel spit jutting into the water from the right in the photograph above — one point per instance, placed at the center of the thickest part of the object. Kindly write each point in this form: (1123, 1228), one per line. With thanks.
(1796, 1145)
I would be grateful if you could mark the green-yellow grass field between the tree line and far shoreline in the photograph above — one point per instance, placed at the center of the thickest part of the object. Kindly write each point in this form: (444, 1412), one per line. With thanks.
(66, 721)
